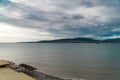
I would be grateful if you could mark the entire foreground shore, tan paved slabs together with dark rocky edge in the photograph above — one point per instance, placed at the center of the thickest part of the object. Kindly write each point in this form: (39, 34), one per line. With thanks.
(24, 71)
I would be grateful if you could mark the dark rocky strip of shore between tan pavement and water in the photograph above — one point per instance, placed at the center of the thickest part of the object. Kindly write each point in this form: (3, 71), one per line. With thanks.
(35, 74)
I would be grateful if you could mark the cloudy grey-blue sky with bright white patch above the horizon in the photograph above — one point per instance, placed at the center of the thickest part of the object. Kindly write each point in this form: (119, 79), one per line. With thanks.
(34, 20)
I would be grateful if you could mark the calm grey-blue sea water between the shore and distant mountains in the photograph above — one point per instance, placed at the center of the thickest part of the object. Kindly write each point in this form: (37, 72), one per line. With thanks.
(68, 60)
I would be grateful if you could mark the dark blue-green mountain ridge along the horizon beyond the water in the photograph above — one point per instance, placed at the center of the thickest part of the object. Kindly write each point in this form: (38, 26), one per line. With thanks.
(80, 40)
